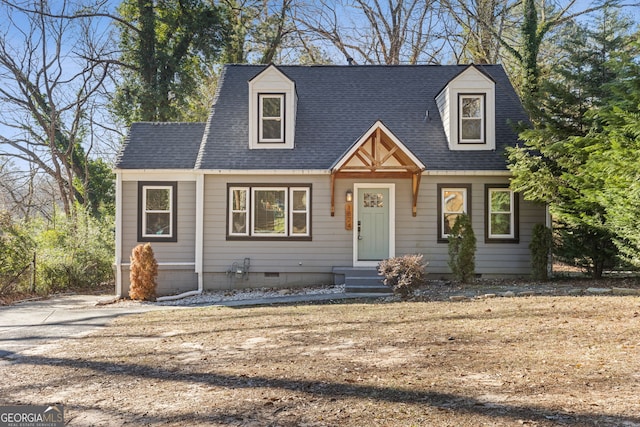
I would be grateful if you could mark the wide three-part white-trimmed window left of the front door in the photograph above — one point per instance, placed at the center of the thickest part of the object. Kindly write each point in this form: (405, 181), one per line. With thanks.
(276, 212)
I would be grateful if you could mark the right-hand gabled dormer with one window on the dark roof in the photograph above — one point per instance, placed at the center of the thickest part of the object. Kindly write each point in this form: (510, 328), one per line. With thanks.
(467, 107)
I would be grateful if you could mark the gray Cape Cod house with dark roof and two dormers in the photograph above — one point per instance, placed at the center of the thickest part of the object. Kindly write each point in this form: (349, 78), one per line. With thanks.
(304, 173)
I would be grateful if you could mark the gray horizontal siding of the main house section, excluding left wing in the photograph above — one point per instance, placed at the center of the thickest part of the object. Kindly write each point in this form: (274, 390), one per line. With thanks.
(332, 244)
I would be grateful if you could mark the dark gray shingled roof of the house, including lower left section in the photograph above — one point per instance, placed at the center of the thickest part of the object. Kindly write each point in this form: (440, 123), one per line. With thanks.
(336, 105)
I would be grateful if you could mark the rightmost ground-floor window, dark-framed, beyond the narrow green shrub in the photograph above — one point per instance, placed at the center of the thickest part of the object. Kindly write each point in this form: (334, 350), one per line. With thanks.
(501, 214)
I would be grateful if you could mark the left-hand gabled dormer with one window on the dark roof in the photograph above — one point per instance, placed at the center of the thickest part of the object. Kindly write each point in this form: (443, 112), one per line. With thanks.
(272, 110)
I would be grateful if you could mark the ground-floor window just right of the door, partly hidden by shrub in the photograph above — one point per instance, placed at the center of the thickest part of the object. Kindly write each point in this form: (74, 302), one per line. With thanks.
(453, 201)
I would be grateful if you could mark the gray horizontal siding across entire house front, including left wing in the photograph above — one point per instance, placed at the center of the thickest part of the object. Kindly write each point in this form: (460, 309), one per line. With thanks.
(331, 244)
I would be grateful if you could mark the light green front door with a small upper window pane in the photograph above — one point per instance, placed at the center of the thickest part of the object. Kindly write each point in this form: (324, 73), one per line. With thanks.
(373, 224)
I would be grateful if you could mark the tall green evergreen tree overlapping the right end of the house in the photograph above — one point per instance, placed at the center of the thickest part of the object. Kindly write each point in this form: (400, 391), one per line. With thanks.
(551, 165)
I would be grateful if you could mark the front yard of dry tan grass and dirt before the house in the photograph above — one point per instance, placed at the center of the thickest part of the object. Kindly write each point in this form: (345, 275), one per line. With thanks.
(533, 361)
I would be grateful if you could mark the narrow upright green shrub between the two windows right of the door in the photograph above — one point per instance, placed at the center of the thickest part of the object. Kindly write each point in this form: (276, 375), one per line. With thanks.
(462, 249)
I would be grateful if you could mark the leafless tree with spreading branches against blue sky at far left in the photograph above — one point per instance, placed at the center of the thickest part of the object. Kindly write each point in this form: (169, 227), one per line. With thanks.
(49, 87)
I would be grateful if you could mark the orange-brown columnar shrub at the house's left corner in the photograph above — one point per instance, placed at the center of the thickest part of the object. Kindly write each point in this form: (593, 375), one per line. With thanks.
(144, 272)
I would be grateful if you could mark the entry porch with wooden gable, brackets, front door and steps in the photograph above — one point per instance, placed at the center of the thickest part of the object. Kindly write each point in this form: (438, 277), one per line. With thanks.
(375, 159)
